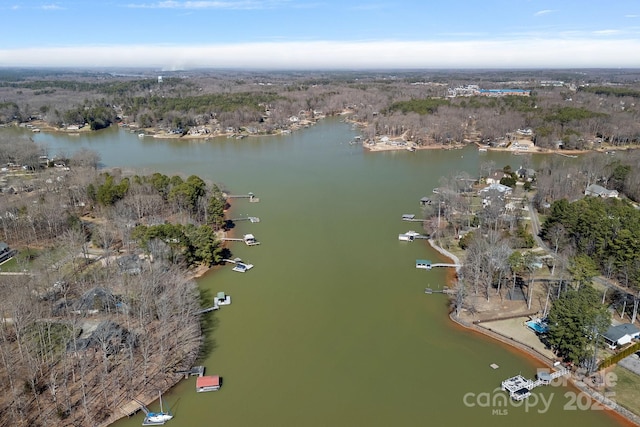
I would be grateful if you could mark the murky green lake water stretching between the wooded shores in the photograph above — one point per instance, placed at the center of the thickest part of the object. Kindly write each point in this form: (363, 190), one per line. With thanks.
(332, 326)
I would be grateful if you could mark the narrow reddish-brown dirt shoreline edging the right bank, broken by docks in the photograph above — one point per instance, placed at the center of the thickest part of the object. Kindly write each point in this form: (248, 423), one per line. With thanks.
(622, 414)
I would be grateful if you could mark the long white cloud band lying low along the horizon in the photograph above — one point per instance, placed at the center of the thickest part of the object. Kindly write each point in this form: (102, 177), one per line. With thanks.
(576, 53)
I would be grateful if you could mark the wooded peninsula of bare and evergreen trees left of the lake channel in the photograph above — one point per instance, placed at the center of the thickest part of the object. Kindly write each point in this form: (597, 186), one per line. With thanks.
(99, 306)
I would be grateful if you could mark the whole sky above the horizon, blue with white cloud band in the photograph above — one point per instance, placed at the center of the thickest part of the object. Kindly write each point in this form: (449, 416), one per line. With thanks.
(320, 34)
